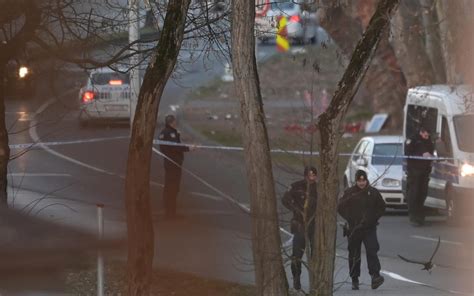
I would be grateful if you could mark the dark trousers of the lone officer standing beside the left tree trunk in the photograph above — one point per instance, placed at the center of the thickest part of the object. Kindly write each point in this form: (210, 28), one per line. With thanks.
(171, 188)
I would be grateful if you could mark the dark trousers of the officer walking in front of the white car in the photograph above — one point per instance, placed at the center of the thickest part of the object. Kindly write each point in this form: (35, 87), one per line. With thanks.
(371, 244)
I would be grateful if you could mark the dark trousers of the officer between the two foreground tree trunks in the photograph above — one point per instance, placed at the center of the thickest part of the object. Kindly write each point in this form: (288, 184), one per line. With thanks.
(299, 246)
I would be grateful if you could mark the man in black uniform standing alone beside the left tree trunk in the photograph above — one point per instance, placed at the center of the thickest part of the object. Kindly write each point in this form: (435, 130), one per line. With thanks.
(172, 167)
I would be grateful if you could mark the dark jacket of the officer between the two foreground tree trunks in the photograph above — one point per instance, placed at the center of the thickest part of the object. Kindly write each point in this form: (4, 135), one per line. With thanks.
(295, 197)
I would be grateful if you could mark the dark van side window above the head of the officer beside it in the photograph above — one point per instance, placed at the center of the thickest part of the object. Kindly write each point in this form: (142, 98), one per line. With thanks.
(418, 116)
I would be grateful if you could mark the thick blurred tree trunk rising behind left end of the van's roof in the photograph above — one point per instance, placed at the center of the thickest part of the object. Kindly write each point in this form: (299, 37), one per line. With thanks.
(408, 42)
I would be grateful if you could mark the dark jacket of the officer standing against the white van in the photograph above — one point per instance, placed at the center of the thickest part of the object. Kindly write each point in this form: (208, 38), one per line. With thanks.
(416, 146)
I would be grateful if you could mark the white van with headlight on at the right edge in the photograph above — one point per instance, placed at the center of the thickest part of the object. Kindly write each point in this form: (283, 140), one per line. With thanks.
(447, 111)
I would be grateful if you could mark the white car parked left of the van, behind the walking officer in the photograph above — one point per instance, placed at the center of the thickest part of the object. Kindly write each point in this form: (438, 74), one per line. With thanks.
(381, 158)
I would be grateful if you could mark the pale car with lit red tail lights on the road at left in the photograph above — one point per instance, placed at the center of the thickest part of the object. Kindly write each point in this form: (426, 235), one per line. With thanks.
(106, 95)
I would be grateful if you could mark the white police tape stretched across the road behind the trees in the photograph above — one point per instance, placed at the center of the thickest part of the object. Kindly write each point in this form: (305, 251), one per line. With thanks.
(38, 145)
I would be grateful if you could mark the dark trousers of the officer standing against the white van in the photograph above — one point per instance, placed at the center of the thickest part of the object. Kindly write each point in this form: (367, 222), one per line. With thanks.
(417, 183)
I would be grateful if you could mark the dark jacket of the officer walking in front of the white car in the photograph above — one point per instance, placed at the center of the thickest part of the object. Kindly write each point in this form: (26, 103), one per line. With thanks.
(361, 208)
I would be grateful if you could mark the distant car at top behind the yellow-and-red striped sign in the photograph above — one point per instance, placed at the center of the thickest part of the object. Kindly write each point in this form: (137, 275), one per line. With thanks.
(301, 25)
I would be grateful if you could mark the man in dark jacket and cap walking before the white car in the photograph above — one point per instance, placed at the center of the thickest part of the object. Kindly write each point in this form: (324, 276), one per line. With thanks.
(362, 206)
